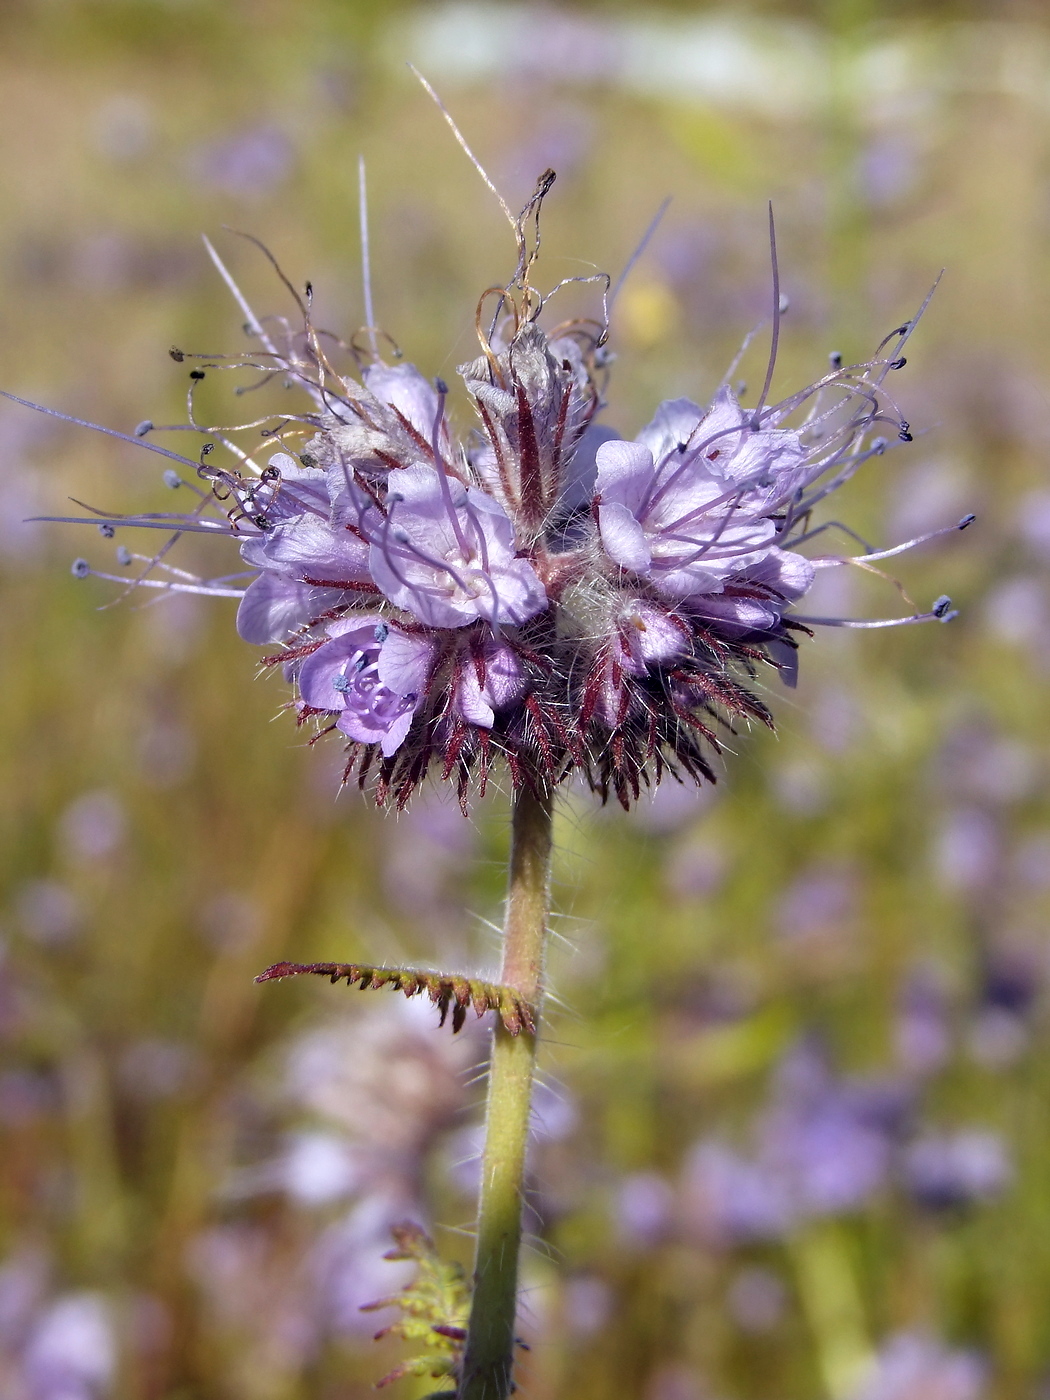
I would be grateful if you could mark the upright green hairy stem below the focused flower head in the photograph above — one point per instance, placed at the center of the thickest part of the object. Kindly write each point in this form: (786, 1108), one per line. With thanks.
(489, 1359)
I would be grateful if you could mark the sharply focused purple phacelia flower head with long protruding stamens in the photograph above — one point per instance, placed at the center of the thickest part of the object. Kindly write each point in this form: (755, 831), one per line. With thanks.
(538, 591)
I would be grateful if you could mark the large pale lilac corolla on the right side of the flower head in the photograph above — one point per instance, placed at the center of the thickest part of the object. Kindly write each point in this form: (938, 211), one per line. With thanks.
(689, 507)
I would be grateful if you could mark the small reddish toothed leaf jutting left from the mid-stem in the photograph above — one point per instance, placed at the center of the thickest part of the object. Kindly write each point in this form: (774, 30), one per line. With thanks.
(449, 992)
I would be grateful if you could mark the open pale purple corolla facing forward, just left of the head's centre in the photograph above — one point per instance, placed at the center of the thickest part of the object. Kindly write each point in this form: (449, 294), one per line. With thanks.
(446, 554)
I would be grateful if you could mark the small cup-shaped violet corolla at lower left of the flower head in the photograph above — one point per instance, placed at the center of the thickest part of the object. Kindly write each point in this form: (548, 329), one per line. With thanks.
(373, 675)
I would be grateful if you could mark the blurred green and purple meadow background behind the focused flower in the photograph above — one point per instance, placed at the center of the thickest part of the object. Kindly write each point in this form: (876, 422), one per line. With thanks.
(792, 1142)
